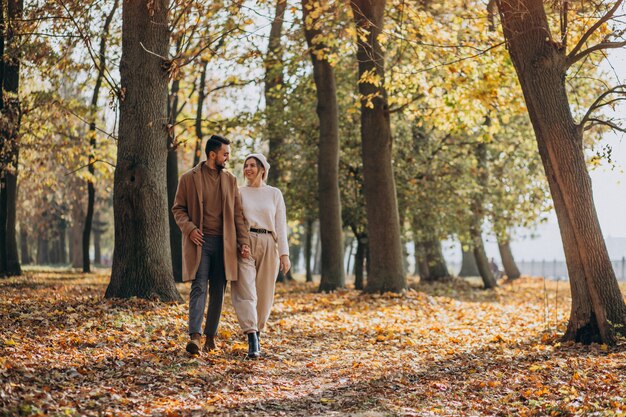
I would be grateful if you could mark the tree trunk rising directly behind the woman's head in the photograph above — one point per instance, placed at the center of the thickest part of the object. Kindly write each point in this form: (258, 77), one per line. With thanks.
(274, 92)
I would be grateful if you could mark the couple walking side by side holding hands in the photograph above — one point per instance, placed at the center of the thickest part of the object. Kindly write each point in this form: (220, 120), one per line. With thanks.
(230, 234)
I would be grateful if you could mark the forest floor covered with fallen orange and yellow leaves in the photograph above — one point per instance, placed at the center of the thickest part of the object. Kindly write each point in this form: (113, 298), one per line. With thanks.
(444, 349)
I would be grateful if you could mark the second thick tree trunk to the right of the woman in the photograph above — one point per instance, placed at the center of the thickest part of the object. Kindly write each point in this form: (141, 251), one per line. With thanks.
(383, 226)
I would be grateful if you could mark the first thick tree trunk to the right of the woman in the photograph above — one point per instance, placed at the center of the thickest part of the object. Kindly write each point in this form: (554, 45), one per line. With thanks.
(332, 274)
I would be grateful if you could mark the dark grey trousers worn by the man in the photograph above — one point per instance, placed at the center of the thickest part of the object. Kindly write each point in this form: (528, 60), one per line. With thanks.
(211, 275)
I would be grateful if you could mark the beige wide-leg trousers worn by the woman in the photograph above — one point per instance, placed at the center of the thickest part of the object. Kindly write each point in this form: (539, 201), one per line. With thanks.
(253, 292)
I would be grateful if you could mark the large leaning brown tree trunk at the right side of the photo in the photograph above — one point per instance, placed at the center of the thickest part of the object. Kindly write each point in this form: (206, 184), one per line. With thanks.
(598, 308)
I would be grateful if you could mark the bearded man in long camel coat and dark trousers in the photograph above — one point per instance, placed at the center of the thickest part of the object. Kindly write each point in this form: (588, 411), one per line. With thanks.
(207, 208)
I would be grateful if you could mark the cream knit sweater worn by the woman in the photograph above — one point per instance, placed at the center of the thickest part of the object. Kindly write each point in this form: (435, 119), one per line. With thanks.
(264, 208)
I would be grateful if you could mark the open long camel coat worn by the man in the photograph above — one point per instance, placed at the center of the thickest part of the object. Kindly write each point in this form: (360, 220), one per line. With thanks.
(188, 210)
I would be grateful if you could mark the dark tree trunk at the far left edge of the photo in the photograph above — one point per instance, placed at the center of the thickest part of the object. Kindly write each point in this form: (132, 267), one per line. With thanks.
(11, 115)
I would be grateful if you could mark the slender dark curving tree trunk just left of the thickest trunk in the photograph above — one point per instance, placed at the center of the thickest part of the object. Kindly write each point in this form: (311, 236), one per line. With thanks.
(91, 189)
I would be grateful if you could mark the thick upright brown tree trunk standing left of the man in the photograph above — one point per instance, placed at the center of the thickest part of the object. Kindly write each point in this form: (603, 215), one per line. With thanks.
(142, 264)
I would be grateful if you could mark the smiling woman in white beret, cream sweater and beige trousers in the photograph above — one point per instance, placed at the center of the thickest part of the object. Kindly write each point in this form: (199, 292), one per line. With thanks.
(253, 292)
